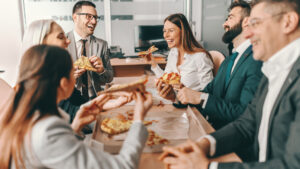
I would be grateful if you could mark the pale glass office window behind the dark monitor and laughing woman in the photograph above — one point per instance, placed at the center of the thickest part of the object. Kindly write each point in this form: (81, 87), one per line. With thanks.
(128, 14)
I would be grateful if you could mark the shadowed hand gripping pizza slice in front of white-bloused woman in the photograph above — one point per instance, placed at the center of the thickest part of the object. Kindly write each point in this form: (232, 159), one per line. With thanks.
(165, 90)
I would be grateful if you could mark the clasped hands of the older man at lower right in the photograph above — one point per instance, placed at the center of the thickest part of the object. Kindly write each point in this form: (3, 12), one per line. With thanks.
(196, 159)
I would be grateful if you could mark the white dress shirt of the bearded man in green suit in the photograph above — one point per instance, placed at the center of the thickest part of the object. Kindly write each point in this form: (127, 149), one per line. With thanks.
(240, 49)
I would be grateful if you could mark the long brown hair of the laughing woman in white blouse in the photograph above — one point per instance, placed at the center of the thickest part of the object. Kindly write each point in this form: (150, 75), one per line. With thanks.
(189, 42)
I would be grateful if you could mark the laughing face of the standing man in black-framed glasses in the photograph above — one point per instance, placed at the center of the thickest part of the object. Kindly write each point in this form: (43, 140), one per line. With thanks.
(83, 26)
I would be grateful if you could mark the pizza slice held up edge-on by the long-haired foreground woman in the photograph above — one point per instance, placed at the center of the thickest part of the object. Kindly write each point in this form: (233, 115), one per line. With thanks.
(139, 84)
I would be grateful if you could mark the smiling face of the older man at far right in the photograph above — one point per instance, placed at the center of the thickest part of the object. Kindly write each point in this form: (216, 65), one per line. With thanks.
(265, 32)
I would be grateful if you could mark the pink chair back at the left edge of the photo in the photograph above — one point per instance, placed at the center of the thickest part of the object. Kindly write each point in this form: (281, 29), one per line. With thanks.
(6, 92)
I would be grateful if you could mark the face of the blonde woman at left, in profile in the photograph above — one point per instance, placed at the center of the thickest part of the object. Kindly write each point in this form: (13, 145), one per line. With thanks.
(56, 37)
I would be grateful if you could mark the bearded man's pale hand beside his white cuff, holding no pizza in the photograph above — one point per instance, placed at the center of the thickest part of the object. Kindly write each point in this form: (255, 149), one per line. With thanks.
(189, 96)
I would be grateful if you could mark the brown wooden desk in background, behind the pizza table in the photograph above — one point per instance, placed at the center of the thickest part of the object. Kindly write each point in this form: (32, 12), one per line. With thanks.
(132, 66)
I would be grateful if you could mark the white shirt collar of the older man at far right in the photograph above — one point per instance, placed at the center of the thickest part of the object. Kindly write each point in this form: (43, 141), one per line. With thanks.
(283, 59)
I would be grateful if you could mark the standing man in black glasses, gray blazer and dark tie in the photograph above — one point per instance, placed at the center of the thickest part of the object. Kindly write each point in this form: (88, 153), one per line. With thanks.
(83, 43)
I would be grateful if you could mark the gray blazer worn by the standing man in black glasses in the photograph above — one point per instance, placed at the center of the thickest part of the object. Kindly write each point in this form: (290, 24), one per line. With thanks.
(98, 47)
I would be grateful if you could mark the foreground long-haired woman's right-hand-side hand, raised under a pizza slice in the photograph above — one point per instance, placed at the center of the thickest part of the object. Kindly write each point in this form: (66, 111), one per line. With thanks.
(142, 105)
